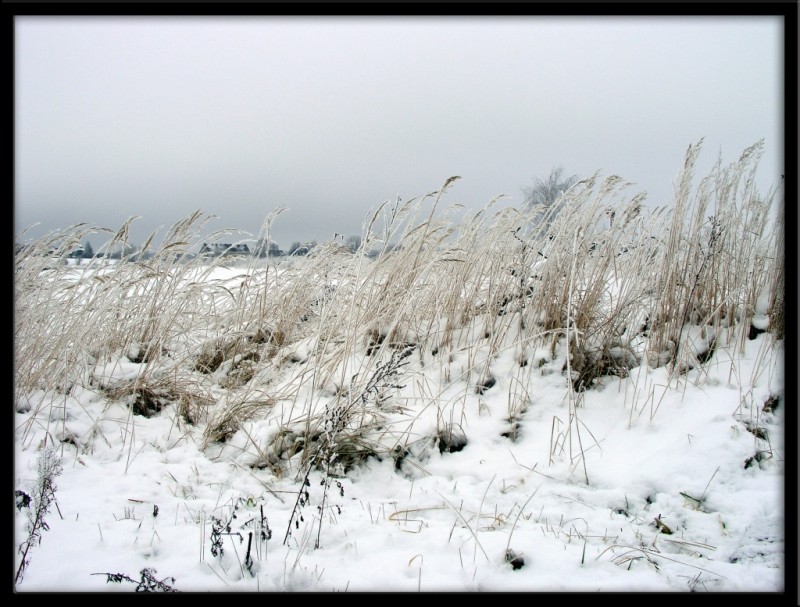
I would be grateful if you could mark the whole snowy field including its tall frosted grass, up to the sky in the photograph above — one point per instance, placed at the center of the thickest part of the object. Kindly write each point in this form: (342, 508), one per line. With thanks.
(592, 402)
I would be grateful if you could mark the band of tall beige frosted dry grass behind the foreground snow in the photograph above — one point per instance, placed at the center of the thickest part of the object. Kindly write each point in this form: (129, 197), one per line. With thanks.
(617, 283)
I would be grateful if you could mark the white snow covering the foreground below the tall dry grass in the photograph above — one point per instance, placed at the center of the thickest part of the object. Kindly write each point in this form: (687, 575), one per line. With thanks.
(656, 451)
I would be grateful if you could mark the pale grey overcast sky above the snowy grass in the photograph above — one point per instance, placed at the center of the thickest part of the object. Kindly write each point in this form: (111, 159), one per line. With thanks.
(329, 117)
